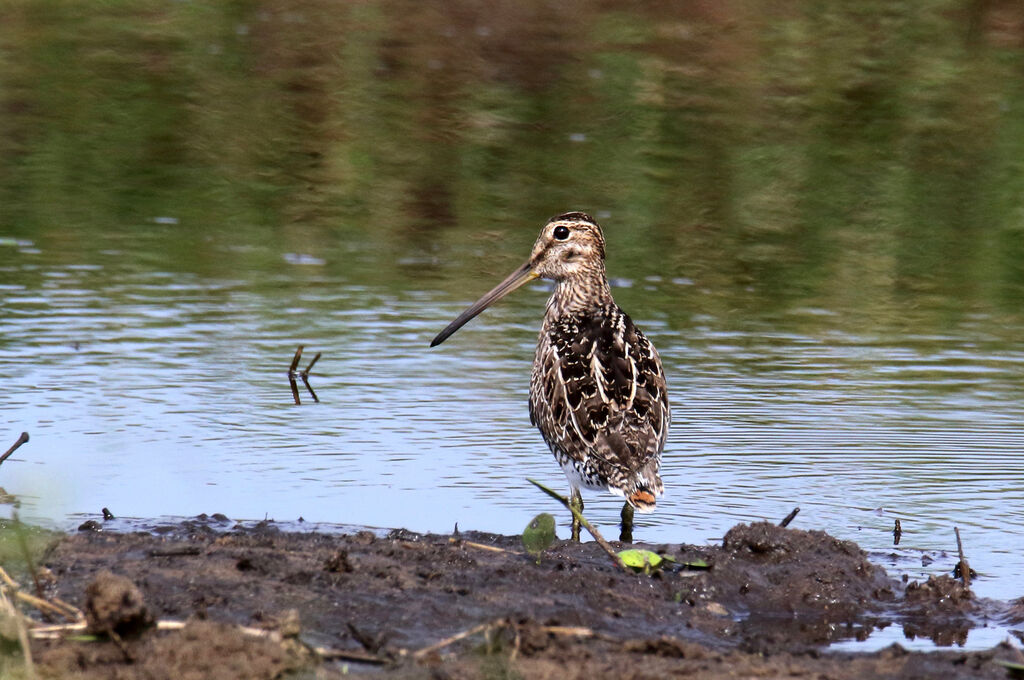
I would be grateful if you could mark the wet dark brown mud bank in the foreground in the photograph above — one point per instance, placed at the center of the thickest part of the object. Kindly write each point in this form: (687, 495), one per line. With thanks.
(386, 606)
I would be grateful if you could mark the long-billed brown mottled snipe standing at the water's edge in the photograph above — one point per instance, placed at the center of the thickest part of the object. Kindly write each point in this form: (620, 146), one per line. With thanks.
(598, 390)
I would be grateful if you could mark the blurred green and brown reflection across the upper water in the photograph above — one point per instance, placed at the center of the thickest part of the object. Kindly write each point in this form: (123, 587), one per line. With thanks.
(861, 158)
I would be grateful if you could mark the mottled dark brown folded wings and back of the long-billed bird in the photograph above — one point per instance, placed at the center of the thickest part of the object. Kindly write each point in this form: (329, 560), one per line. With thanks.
(599, 396)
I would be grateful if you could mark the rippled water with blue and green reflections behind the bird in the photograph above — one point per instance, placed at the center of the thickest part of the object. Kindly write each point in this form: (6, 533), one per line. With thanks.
(823, 237)
